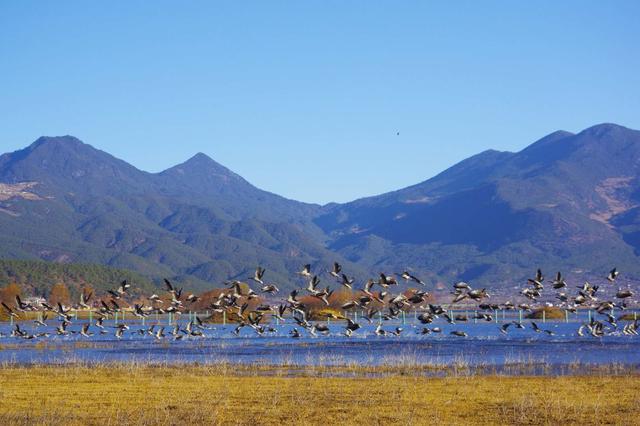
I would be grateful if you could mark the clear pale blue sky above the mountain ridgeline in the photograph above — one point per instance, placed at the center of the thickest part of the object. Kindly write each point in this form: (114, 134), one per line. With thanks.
(305, 98)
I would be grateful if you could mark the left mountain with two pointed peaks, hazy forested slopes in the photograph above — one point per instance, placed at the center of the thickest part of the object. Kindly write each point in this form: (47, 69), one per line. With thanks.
(68, 202)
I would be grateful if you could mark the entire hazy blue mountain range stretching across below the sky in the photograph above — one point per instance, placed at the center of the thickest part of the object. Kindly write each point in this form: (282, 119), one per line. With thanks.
(567, 202)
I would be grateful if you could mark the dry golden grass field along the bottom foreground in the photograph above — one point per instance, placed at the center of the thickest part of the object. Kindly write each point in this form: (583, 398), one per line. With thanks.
(132, 394)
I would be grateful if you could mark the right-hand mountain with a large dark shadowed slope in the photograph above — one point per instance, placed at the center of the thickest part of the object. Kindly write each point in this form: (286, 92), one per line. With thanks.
(565, 202)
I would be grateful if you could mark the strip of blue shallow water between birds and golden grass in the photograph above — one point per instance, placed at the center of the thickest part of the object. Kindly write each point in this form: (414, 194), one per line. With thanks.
(485, 346)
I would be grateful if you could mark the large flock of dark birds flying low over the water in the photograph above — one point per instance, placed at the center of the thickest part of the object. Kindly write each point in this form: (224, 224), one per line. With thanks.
(381, 305)
